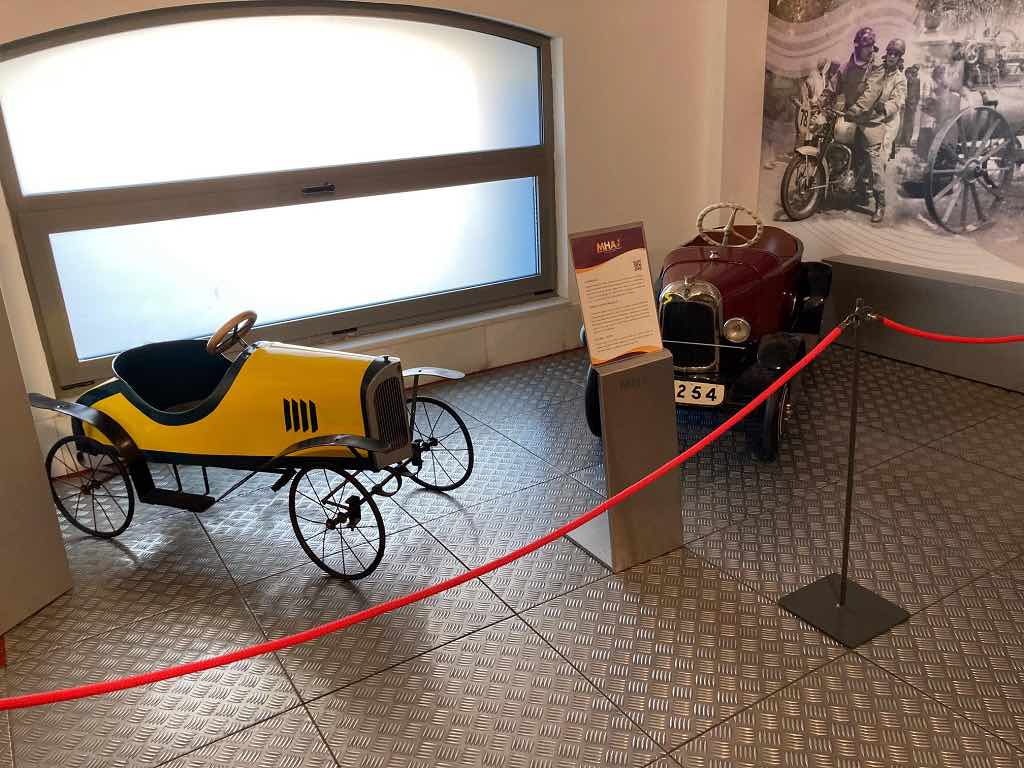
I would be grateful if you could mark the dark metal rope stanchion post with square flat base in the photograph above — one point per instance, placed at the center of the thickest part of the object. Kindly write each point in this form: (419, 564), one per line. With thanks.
(837, 606)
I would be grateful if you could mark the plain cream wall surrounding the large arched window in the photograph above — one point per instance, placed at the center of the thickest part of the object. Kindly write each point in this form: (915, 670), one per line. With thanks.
(644, 88)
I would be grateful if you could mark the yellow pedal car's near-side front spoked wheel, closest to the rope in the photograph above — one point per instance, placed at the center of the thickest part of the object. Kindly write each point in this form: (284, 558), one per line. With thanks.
(337, 523)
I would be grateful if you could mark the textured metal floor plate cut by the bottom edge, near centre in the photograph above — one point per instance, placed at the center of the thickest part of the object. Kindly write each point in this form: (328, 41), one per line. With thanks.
(501, 697)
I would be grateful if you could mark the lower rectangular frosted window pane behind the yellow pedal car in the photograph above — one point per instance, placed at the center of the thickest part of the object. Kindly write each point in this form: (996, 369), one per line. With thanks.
(125, 286)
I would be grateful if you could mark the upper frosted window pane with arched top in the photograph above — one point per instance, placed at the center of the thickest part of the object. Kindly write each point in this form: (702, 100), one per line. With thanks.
(234, 97)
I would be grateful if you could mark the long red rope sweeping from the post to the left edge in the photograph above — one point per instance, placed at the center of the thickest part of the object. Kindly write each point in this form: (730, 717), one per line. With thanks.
(110, 687)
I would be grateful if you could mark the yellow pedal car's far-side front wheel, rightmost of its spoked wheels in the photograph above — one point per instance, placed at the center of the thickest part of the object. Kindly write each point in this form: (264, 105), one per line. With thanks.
(443, 450)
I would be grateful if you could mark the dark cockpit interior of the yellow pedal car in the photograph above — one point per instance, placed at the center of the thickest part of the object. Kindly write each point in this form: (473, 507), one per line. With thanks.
(172, 375)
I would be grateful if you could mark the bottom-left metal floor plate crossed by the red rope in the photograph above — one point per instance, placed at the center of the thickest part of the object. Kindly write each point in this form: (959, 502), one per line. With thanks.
(146, 727)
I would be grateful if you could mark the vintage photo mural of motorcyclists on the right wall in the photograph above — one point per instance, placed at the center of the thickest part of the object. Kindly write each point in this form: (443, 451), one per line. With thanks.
(893, 131)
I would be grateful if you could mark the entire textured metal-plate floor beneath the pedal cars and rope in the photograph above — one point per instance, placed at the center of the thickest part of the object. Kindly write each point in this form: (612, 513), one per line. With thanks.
(552, 661)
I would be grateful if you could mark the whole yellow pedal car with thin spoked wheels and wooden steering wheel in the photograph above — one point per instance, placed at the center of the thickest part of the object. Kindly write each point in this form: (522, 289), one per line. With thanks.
(317, 418)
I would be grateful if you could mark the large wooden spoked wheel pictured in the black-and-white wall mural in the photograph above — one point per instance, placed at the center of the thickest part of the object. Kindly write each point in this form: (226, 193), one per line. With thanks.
(971, 165)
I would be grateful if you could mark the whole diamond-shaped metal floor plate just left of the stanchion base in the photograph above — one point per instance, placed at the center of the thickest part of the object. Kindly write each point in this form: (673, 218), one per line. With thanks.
(677, 646)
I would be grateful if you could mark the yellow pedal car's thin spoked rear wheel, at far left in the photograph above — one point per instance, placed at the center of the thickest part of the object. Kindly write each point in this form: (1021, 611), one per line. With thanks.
(91, 486)
